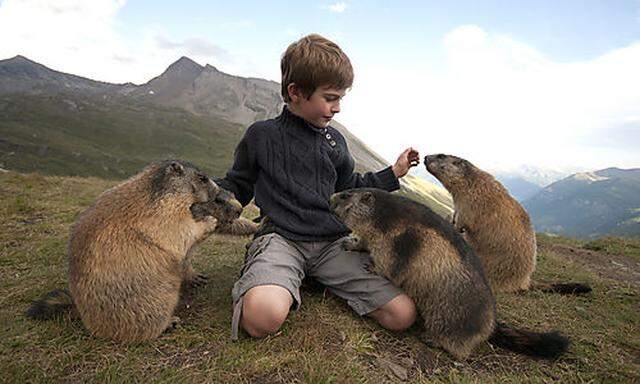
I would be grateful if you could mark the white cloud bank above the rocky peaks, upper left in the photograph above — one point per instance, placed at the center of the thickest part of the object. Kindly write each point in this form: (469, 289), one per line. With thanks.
(83, 37)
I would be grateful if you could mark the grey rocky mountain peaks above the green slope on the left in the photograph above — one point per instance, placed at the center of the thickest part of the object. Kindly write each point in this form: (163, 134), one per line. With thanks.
(203, 91)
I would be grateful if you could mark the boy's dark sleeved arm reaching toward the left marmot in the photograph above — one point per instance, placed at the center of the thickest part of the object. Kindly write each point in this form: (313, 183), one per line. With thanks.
(241, 178)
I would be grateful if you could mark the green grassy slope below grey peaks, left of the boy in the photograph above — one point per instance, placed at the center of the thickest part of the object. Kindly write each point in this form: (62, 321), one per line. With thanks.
(62, 135)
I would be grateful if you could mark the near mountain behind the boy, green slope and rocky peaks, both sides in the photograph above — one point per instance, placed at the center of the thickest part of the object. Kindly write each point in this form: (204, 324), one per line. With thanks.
(59, 123)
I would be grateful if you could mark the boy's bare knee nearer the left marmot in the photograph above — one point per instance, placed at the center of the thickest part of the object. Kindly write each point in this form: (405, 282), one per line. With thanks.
(264, 309)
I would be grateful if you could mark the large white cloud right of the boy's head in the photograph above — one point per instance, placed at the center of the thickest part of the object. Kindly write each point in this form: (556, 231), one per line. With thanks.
(500, 103)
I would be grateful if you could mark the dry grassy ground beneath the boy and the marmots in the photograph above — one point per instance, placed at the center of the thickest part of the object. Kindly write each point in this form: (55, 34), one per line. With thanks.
(324, 342)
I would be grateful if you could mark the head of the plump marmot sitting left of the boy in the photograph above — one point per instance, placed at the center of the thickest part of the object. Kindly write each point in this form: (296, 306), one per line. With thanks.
(178, 178)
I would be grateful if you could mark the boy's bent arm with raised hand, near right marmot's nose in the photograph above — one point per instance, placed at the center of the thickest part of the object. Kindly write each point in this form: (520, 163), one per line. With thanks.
(386, 179)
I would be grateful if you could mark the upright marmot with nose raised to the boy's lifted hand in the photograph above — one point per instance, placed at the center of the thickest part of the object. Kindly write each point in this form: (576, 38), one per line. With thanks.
(495, 225)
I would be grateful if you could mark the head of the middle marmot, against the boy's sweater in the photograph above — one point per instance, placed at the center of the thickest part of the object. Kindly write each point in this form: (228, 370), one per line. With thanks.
(355, 206)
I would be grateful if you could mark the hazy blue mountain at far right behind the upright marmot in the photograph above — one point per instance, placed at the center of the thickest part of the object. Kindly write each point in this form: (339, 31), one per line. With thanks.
(589, 204)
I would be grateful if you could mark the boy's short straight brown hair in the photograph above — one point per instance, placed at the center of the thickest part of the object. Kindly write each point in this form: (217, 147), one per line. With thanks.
(314, 61)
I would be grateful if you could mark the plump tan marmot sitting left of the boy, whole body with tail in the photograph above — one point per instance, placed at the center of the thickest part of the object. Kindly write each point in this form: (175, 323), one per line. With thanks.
(128, 252)
